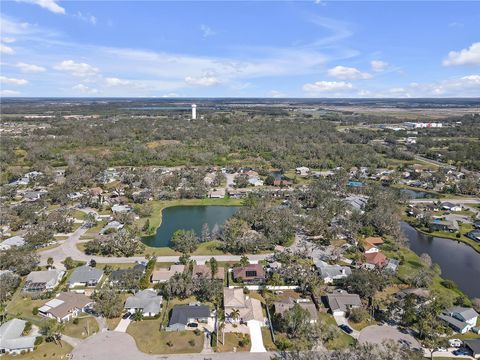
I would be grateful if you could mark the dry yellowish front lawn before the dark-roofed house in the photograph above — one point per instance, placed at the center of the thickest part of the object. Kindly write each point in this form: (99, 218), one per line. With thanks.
(151, 340)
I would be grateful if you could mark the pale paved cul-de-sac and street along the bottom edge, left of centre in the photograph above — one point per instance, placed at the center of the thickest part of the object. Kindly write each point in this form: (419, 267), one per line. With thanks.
(121, 346)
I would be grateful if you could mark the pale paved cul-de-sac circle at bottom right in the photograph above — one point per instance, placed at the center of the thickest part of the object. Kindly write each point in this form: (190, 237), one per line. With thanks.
(377, 334)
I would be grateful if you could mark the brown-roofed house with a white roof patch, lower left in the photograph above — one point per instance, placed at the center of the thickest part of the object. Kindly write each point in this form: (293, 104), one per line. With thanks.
(66, 306)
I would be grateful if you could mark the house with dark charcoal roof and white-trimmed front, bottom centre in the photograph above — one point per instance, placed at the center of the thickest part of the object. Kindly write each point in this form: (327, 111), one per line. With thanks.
(185, 317)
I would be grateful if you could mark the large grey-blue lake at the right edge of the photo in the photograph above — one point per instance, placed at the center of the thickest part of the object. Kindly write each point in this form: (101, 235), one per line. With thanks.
(459, 262)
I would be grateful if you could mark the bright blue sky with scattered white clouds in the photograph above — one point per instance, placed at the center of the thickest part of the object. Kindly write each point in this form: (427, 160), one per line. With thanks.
(225, 48)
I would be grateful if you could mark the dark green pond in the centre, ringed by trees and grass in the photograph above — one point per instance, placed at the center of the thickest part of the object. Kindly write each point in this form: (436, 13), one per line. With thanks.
(188, 218)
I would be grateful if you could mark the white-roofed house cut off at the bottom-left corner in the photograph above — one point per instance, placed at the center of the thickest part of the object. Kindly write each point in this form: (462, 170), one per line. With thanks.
(11, 339)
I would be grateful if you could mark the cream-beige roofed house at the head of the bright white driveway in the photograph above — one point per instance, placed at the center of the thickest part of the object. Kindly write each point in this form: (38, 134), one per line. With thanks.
(240, 308)
